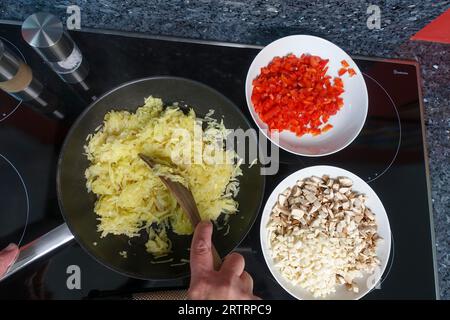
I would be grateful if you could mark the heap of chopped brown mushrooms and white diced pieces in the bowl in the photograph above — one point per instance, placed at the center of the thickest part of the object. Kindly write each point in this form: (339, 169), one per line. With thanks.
(322, 235)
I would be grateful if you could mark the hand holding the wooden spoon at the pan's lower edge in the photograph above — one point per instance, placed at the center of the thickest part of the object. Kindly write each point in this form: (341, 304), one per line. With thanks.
(231, 282)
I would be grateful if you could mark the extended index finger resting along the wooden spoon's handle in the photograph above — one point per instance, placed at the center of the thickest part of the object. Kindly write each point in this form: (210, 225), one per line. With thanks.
(201, 255)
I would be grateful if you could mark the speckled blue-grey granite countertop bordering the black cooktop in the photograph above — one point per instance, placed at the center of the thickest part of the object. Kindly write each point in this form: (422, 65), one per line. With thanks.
(259, 22)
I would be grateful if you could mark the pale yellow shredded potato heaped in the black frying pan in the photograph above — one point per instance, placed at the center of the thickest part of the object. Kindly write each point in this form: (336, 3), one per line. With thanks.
(131, 196)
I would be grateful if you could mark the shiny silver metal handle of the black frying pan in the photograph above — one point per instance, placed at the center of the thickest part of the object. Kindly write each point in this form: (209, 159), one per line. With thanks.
(39, 248)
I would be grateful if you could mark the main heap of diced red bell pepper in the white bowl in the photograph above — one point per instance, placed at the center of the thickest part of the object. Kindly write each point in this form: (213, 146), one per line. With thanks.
(295, 93)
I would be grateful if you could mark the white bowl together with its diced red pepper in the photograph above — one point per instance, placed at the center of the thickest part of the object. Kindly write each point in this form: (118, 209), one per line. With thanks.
(307, 95)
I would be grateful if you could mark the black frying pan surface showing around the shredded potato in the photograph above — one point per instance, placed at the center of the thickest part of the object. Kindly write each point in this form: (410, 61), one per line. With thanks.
(77, 205)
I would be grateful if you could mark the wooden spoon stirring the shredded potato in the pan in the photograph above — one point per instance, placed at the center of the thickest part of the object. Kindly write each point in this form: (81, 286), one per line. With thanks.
(187, 203)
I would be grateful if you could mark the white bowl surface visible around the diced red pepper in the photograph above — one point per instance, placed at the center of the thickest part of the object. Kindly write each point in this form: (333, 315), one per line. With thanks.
(347, 123)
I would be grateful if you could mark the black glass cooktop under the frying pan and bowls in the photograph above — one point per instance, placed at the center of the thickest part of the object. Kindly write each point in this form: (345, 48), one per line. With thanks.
(389, 154)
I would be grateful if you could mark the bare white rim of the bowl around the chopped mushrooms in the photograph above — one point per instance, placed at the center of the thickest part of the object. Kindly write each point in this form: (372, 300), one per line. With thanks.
(366, 283)
